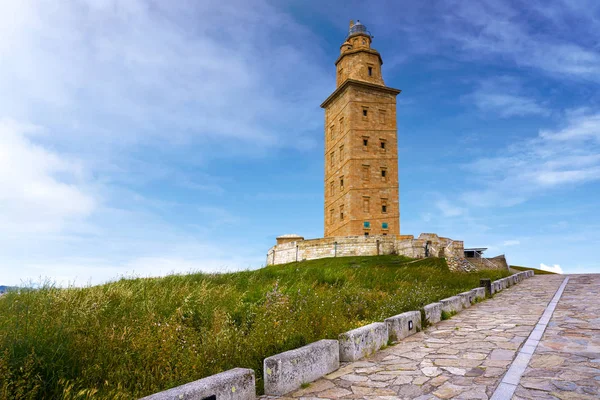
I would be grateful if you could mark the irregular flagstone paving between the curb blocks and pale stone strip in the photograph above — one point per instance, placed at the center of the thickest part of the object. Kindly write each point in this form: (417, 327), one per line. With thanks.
(462, 358)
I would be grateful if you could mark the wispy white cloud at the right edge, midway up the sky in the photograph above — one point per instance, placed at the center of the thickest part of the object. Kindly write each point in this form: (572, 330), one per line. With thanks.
(554, 159)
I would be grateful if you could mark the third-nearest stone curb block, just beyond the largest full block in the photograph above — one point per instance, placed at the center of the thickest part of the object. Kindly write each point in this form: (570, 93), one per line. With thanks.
(363, 341)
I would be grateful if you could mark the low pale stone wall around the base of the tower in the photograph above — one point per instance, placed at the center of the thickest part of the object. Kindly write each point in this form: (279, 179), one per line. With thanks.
(345, 246)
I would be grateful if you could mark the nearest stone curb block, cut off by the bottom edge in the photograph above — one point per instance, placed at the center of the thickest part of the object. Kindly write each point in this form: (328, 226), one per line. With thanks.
(235, 384)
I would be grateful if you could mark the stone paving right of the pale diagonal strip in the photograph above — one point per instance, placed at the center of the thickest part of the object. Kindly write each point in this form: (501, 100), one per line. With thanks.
(566, 363)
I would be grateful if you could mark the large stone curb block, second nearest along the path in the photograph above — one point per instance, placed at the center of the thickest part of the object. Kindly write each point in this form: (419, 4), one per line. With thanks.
(285, 372)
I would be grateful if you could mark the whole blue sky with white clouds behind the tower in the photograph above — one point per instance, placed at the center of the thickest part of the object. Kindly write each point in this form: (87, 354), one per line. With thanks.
(143, 138)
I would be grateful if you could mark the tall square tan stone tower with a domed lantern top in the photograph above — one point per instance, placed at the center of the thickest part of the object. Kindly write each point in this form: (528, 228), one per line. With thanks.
(361, 151)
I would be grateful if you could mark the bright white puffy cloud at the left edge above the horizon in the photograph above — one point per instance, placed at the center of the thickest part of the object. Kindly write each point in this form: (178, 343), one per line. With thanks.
(40, 191)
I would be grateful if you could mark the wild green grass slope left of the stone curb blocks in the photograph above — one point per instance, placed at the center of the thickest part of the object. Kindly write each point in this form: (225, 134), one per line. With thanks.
(134, 337)
